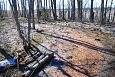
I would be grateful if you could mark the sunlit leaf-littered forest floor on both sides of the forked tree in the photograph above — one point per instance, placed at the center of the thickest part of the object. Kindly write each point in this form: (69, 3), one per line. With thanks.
(80, 51)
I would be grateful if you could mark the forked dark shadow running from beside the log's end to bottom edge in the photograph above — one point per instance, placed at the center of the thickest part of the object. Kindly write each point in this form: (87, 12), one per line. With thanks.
(64, 62)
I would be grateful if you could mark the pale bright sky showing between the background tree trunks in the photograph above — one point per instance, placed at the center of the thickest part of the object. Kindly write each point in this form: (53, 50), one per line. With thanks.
(97, 3)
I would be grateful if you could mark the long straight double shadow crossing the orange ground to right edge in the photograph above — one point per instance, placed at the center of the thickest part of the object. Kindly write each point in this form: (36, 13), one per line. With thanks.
(79, 42)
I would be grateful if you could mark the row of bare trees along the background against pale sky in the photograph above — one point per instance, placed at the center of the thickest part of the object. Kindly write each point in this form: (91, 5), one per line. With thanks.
(46, 9)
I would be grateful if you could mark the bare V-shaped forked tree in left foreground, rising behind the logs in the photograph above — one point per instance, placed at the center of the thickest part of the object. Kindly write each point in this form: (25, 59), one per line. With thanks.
(26, 42)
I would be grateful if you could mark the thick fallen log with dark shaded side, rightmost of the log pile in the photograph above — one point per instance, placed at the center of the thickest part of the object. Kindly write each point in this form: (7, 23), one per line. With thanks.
(38, 65)
